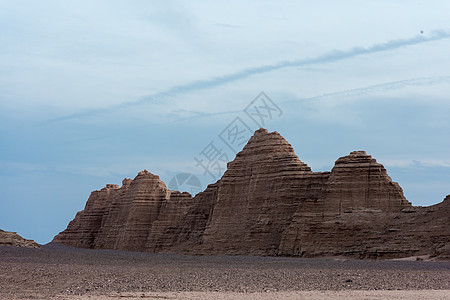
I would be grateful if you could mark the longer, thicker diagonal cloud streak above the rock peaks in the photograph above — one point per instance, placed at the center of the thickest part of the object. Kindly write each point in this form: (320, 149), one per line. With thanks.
(328, 57)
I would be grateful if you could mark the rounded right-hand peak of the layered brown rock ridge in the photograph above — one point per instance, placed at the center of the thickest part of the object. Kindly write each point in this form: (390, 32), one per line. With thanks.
(355, 200)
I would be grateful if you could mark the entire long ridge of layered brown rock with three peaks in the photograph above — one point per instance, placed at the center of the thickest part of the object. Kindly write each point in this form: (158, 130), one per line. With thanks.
(268, 202)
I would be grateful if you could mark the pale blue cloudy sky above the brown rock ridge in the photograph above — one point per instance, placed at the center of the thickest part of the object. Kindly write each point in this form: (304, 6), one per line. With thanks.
(92, 92)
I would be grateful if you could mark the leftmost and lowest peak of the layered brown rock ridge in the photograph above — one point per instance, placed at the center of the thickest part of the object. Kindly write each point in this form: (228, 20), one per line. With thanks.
(138, 216)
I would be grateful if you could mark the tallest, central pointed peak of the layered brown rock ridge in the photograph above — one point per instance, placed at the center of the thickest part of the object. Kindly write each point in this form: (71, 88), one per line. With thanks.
(257, 197)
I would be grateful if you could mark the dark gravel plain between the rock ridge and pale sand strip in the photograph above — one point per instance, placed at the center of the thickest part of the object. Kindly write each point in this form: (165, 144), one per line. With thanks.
(62, 271)
